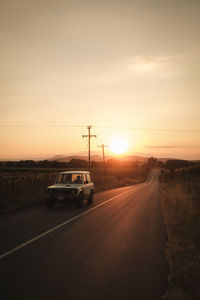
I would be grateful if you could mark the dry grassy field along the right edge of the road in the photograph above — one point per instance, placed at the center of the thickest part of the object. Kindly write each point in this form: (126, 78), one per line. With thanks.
(180, 196)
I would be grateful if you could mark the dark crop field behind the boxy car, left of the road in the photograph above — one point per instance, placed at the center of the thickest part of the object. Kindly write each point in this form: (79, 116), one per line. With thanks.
(23, 187)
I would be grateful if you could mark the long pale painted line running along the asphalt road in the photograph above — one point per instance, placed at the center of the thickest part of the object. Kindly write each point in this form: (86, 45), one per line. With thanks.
(58, 226)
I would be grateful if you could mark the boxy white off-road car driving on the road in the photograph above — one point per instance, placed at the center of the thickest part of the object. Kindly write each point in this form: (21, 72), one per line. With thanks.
(71, 186)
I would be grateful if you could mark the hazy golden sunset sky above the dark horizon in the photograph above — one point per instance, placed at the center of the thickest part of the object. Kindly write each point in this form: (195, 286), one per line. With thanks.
(129, 68)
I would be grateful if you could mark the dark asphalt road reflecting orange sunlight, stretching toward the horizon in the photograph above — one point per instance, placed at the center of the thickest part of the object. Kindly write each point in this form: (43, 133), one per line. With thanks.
(113, 249)
